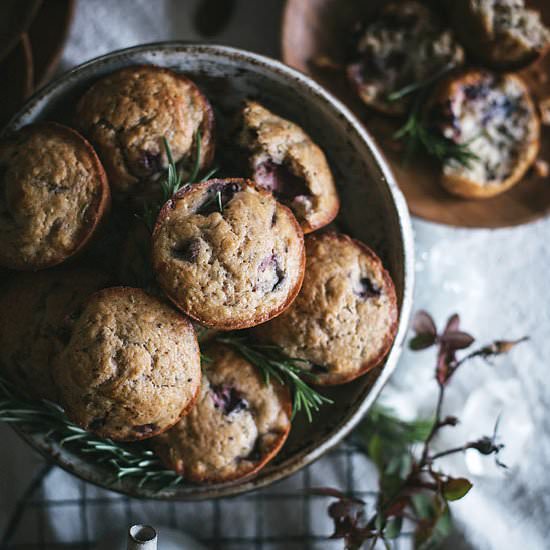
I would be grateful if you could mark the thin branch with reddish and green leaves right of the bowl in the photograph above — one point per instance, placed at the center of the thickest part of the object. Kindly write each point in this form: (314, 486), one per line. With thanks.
(412, 490)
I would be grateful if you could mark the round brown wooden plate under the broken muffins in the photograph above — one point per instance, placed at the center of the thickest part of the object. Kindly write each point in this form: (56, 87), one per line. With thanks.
(314, 28)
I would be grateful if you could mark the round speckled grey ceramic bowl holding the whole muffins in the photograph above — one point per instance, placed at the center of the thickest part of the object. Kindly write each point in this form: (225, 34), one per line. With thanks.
(373, 210)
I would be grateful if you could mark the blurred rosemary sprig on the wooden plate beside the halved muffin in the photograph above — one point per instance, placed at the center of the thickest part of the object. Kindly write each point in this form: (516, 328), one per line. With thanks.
(417, 135)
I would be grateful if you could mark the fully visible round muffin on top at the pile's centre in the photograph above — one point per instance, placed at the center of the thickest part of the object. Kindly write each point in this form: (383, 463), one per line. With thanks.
(228, 254)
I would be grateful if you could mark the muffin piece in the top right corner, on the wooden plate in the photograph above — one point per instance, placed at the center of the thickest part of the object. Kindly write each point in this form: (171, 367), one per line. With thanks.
(502, 34)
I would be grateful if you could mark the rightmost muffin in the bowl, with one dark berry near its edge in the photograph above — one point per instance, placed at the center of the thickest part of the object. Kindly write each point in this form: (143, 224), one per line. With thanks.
(345, 318)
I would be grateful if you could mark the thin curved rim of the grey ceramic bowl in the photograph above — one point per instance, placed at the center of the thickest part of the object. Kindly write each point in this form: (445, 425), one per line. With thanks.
(349, 421)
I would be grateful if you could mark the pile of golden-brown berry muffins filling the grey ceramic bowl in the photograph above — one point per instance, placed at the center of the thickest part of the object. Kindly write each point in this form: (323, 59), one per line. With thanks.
(227, 254)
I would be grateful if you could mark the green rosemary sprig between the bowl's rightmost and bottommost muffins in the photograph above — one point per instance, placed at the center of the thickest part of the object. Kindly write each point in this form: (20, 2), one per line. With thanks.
(290, 371)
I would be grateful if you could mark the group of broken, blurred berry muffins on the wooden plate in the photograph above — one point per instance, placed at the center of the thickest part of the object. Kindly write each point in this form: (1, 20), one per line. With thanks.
(450, 73)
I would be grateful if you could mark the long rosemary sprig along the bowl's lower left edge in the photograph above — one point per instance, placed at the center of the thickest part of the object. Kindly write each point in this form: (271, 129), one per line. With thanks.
(46, 418)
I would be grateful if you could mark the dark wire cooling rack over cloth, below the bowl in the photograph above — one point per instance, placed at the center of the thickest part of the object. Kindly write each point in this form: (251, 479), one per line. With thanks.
(284, 516)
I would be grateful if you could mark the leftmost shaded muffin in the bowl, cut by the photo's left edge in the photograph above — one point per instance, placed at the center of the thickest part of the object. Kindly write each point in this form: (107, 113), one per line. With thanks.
(54, 193)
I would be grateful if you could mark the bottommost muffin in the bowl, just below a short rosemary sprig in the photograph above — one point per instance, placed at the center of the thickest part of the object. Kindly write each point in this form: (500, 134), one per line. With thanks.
(237, 426)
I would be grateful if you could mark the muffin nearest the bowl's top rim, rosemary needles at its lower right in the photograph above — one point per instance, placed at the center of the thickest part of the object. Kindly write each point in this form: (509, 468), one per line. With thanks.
(127, 114)
